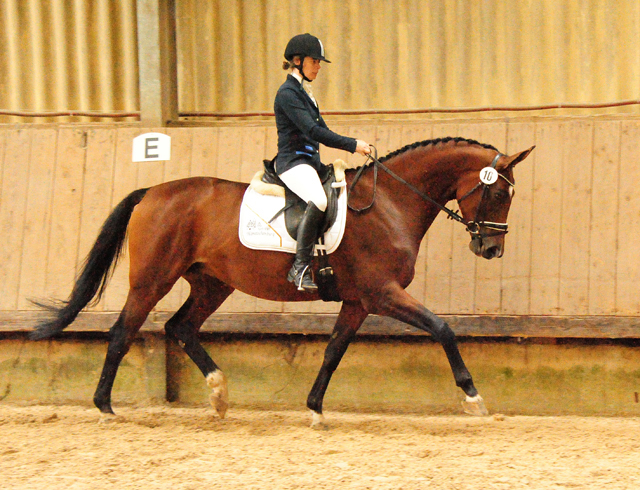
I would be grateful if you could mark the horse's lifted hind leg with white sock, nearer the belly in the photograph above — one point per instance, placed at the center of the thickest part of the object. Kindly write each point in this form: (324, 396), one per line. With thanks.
(207, 294)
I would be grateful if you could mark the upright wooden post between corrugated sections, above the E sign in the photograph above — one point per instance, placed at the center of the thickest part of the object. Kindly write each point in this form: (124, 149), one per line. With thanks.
(157, 62)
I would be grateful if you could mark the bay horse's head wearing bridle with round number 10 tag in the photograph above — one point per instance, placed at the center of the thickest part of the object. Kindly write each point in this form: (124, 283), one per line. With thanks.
(484, 194)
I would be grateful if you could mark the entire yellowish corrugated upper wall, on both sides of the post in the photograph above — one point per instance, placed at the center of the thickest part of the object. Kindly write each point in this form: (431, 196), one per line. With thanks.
(387, 54)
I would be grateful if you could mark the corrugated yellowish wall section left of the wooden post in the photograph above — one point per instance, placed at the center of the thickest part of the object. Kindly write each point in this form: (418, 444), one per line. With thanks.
(68, 55)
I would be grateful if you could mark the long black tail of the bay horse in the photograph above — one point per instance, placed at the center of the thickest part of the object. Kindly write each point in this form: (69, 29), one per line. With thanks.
(96, 270)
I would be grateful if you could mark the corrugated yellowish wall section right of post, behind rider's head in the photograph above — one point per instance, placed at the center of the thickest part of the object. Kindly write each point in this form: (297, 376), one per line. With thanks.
(409, 54)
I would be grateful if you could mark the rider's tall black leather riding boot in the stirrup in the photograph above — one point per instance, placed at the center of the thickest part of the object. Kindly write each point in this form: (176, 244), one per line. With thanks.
(300, 273)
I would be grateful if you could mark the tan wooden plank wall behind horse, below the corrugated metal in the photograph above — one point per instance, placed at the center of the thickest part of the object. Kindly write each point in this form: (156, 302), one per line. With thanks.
(571, 249)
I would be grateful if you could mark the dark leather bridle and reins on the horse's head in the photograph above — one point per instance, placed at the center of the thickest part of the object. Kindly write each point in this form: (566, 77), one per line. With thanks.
(474, 227)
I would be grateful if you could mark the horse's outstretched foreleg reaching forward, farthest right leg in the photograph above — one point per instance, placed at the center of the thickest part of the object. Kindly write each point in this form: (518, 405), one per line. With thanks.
(403, 307)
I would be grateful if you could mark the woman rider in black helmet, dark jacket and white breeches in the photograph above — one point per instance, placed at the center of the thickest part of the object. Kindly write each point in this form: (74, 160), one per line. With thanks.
(301, 129)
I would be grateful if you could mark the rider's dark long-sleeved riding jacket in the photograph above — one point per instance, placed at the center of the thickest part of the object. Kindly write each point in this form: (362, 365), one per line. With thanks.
(301, 129)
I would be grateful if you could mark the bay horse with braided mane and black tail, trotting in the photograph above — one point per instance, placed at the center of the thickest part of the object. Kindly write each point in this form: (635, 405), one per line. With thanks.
(189, 228)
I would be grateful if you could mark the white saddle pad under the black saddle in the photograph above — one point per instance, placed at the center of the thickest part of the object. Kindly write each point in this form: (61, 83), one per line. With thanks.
(256, 232)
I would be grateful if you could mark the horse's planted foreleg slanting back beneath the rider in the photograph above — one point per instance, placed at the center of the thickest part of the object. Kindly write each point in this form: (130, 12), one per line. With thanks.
(349, 321)
